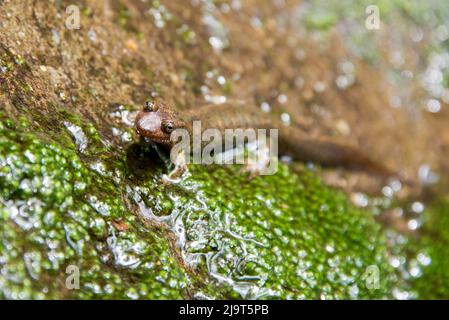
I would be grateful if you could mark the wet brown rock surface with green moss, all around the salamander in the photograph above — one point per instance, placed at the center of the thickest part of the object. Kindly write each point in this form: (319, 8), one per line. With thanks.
(77, 190)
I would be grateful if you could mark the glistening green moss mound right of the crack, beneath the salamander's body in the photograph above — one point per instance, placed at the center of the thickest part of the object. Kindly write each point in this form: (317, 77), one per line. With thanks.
(290, 236)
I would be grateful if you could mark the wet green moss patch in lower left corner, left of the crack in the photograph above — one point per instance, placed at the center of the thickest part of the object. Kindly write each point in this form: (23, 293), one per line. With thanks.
(55, 212)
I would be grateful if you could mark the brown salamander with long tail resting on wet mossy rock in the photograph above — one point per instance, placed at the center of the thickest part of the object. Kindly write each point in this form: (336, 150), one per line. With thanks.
(157, 121)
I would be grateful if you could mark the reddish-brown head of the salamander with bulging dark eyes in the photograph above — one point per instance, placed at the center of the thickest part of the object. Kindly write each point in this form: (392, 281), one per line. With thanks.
(157, 121)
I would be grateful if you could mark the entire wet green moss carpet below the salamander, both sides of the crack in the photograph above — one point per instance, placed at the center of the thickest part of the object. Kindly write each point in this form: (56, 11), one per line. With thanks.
(284, 236)
